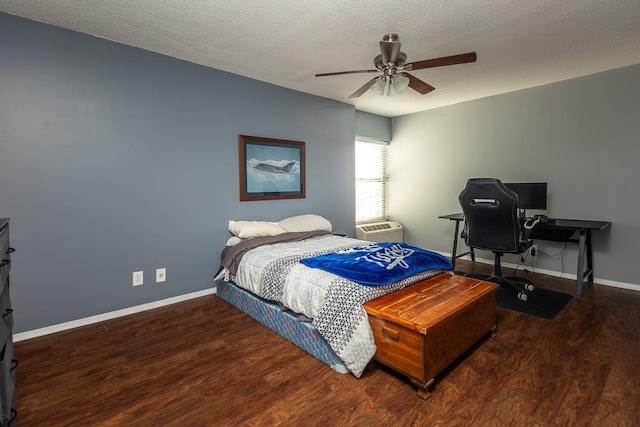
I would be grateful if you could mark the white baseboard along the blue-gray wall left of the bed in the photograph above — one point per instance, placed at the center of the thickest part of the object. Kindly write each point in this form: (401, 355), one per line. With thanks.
(108, 316)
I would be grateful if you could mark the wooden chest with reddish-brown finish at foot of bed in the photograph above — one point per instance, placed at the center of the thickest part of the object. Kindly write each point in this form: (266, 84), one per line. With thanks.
(422, 328)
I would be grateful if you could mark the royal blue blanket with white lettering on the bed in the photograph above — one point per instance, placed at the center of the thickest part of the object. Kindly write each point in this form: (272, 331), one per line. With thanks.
(379, 263)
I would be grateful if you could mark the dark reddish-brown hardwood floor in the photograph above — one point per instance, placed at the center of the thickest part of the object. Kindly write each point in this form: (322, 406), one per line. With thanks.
(204, 363)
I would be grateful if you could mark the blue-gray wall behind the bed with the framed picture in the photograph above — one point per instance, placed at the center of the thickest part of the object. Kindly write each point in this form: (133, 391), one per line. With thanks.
(115, 159)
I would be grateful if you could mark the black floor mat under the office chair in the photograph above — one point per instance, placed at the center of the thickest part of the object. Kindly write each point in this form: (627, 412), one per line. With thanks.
(540, 302)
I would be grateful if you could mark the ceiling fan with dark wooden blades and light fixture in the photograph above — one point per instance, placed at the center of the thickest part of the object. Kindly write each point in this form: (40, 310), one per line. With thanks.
(393, 65)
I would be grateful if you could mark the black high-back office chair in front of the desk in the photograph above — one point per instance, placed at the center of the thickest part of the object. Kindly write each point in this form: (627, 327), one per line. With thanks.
(492, 223)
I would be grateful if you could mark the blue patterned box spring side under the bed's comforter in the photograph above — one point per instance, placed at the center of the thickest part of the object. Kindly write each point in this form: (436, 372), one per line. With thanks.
(284, 322)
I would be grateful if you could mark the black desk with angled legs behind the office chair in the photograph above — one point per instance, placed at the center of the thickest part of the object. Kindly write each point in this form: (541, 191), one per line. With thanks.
(583, 227)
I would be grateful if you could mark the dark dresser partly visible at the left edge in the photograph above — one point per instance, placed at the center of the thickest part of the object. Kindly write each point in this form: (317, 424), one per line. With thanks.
(7, 362)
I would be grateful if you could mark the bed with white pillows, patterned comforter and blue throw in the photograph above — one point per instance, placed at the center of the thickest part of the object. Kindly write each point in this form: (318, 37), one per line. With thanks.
(276, 273)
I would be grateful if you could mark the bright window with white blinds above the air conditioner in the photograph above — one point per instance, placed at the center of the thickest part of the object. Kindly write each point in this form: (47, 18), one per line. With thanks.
(371, 181)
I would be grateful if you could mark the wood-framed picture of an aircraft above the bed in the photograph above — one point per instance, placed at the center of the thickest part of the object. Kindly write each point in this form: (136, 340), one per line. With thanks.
(271, 168)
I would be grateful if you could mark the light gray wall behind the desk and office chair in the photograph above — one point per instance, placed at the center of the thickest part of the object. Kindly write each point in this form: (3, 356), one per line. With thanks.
(581, 136)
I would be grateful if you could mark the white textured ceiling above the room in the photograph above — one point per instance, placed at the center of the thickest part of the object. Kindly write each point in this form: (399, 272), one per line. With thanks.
(520, 43)
